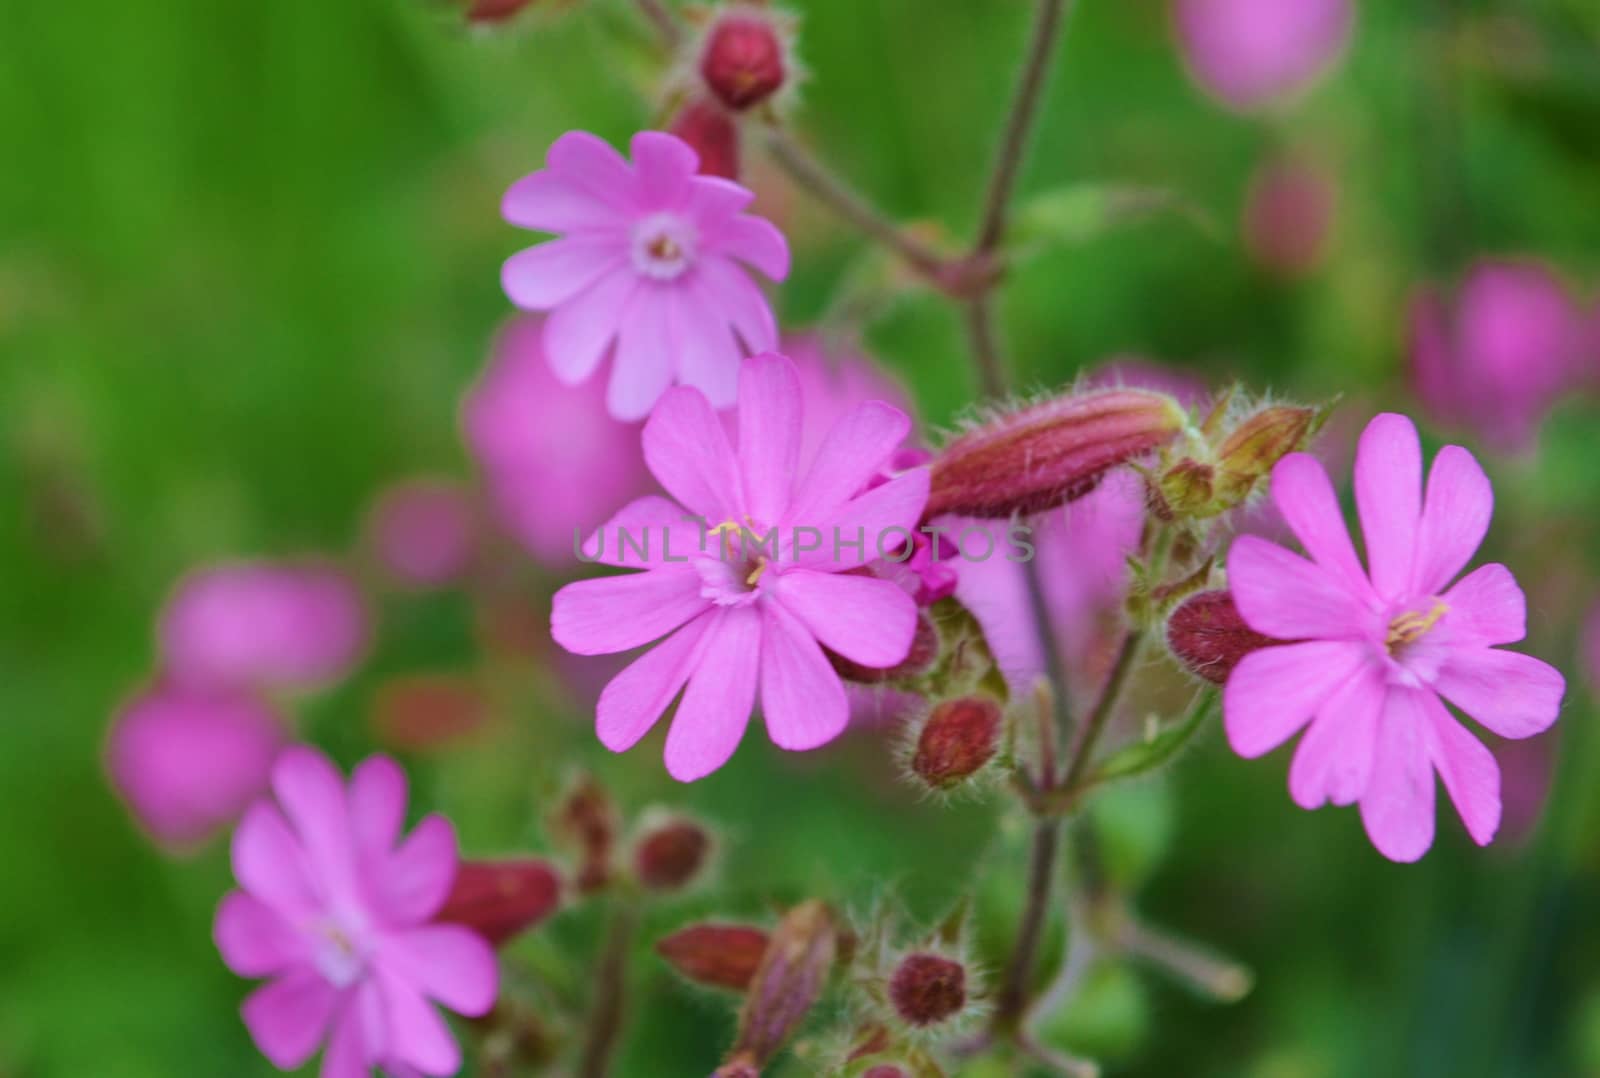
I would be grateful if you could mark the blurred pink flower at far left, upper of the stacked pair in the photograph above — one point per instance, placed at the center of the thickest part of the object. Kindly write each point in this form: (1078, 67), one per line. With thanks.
(263, 625)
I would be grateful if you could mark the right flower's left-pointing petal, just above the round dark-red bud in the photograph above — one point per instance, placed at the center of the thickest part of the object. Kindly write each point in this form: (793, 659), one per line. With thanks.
(1284, 596)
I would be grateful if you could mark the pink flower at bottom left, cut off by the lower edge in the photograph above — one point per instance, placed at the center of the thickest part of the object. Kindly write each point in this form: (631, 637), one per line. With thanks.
(335, 914)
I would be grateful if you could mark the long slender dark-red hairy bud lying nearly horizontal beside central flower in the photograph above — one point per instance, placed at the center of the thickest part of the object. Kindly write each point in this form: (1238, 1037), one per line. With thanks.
(1050, 453)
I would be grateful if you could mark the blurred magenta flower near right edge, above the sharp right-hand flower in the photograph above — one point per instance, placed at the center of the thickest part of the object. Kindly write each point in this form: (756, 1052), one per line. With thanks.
(1497, 357)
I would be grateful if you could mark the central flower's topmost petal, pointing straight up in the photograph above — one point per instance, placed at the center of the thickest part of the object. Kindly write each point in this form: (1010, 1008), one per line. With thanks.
(769, 434)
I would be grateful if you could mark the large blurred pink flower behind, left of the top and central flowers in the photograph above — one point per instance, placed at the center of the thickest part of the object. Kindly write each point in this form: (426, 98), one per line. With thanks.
(553, 461)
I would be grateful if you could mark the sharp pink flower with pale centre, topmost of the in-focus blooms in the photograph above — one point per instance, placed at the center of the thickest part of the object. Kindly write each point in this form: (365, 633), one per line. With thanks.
(647, 258)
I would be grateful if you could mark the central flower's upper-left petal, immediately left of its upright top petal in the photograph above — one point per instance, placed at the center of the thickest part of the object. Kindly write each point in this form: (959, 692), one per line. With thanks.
(687, 450)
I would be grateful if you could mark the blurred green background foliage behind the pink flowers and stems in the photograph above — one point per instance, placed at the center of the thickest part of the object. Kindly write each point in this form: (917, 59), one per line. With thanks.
(249, 265)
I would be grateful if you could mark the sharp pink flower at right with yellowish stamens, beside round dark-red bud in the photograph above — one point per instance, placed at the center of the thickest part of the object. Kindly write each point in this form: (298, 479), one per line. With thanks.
(1377, 649)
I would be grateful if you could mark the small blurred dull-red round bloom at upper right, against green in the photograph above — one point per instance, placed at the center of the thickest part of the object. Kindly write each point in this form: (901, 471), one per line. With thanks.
(1289, 215)
